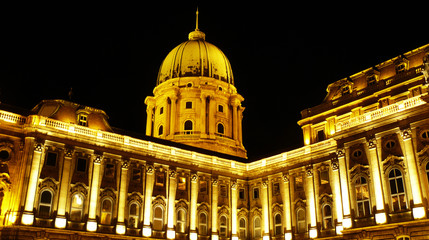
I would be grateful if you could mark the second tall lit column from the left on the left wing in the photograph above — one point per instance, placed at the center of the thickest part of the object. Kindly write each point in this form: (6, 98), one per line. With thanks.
(60, 220)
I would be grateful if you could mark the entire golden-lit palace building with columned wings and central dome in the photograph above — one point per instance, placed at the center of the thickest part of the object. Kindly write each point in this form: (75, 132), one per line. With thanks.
(363, 172)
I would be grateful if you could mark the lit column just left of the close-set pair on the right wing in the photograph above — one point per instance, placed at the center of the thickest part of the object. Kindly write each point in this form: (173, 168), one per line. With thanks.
(311, 201)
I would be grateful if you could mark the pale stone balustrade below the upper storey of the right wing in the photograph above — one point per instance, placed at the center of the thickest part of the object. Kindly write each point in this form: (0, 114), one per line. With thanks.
(379, 113)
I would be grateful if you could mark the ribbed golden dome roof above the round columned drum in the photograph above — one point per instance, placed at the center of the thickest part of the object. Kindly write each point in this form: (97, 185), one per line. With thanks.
(194, 58)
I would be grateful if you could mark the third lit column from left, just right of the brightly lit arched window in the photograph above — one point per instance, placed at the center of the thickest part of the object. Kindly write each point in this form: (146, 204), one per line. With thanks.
(91, 225)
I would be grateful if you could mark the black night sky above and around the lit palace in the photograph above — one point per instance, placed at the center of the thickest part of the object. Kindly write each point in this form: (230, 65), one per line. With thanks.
(283, 57)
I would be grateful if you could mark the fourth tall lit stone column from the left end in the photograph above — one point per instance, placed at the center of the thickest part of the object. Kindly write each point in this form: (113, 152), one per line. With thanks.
(120, 226)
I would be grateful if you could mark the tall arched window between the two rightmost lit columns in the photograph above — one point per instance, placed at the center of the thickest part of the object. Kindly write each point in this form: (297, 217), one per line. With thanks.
(397, 190)
